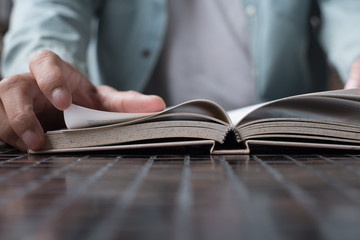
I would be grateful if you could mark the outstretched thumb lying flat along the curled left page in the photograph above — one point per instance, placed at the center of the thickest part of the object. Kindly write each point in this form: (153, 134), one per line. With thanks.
(129, 101)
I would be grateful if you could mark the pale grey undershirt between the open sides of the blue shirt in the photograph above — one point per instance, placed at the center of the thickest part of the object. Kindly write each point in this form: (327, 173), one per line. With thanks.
(205, 55)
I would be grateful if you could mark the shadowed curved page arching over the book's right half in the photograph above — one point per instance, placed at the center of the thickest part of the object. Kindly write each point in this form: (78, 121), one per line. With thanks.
(340, 106)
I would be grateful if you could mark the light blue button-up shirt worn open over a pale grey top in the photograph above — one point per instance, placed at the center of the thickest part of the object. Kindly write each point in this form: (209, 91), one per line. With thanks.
(130, 37)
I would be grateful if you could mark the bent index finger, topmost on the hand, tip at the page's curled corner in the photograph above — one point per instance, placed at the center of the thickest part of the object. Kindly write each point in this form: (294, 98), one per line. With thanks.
(47, 69)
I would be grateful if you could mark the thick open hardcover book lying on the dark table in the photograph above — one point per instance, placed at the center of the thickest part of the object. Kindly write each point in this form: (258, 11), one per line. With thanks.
(328, 119)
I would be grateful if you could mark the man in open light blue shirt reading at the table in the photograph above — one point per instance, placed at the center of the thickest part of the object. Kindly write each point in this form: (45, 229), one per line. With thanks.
(138, 39)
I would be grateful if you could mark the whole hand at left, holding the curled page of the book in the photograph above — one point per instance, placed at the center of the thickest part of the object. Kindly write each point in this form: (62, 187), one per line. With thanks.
(32, 102)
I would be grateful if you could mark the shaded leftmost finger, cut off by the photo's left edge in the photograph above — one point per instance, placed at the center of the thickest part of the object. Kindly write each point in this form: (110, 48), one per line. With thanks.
(7, 134)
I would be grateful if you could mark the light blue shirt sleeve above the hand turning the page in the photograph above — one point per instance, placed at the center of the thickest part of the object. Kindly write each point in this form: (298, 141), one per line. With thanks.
(60, 26)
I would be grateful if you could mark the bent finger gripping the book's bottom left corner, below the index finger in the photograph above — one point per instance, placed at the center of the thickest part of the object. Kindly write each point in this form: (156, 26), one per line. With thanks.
(17, 94)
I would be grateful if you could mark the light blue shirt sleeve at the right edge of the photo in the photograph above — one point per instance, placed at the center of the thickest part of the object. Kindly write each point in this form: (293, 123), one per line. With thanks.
(340, 33)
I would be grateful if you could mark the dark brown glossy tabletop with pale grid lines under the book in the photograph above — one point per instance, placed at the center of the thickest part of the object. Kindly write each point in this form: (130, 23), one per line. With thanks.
(115, 196)
